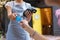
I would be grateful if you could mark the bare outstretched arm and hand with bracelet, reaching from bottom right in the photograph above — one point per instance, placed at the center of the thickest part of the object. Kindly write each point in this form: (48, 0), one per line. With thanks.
(33, 33)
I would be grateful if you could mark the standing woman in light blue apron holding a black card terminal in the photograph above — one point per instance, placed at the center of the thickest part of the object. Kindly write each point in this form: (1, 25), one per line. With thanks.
(15, 31)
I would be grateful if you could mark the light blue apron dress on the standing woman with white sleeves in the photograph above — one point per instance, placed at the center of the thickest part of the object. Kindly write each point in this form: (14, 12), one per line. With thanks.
(15, 31)
